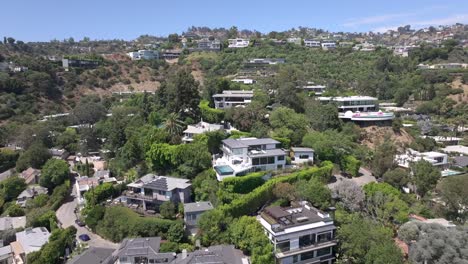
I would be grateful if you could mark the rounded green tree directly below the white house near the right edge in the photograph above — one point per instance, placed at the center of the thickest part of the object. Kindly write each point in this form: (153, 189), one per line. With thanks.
(425, 176)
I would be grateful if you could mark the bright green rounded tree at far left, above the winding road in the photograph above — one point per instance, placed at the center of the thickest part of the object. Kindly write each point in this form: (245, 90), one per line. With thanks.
(54, 173)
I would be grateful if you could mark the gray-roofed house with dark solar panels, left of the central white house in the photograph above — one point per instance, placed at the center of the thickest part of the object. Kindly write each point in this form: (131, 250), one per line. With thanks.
(151, 190)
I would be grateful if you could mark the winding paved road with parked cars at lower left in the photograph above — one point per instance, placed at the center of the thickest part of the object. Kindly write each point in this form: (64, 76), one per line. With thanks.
(66, 216)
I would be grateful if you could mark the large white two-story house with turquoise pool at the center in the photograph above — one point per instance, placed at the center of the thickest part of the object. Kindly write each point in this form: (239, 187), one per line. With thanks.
(244, 155)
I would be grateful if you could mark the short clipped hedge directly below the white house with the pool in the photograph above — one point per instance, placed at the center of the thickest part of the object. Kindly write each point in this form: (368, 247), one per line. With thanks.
(244, 184)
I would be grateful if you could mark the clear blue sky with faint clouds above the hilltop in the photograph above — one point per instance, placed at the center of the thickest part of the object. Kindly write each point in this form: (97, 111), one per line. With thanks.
(42, 20)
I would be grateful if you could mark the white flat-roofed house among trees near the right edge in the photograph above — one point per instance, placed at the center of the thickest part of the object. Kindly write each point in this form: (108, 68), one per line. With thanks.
(435, 158)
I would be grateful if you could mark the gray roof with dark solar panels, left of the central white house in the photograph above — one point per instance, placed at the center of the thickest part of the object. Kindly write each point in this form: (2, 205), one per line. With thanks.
(163, 183)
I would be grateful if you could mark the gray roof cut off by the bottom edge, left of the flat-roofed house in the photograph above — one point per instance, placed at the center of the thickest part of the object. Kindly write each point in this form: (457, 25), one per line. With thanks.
(225, 254)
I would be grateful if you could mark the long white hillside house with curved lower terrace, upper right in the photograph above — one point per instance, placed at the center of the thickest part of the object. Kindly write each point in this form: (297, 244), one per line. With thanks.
(359, 109)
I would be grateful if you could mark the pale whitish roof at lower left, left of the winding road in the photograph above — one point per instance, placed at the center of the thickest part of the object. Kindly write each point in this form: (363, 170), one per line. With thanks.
(32, 239)
